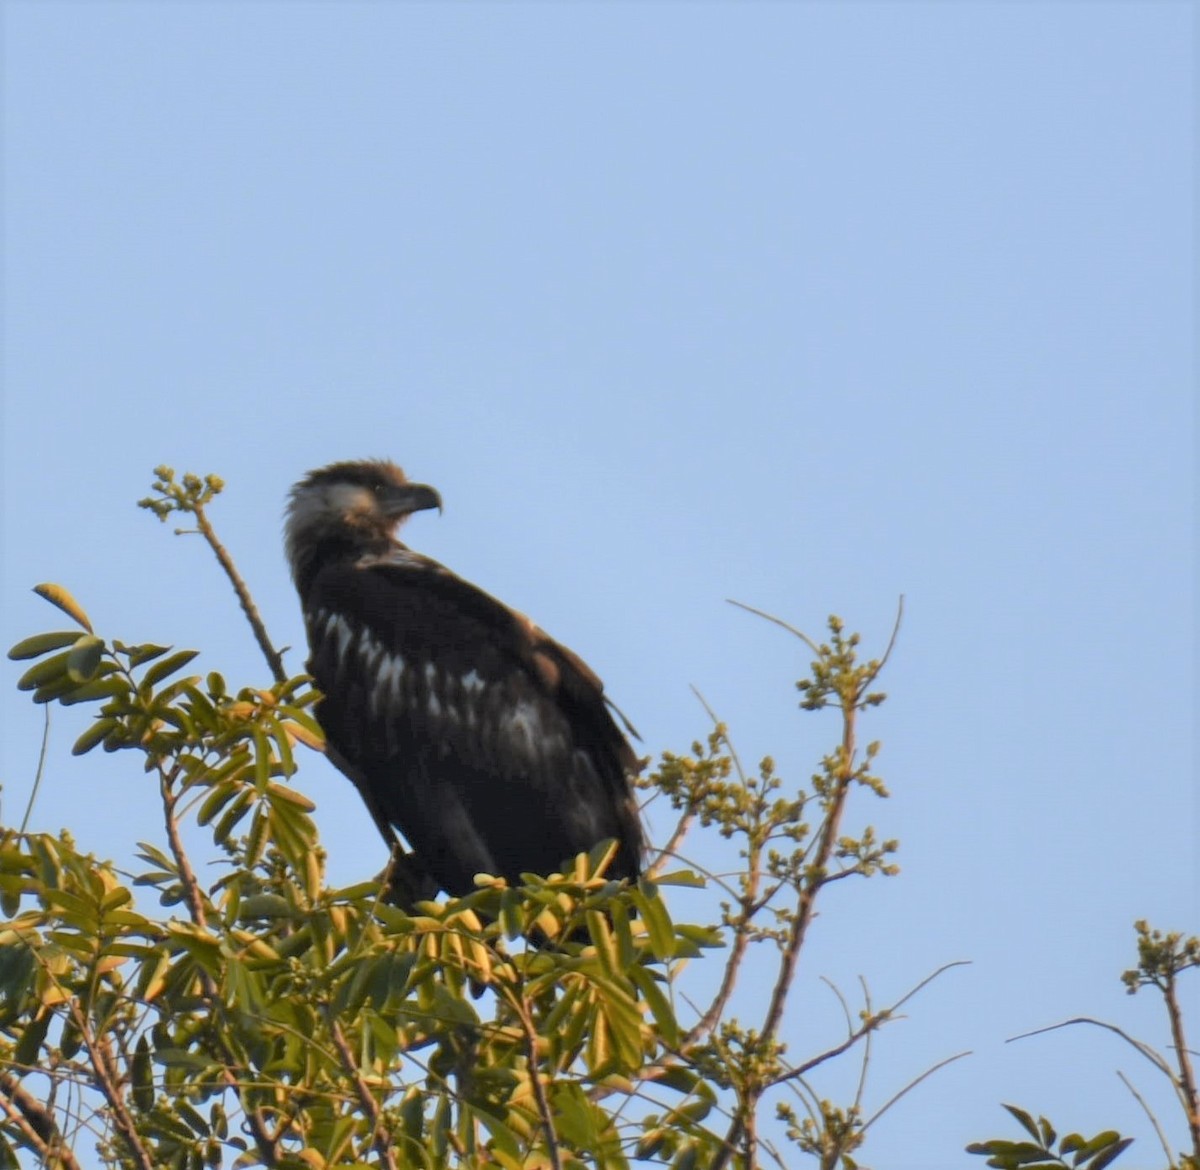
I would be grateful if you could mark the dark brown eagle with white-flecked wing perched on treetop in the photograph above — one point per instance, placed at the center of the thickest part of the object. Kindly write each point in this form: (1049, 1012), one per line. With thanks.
(488, 745)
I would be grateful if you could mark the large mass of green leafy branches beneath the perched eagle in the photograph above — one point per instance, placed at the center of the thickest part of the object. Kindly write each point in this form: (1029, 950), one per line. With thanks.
(262, 1018)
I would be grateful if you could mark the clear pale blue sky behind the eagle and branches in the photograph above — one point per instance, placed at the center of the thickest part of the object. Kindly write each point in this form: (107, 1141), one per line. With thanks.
(808, 305)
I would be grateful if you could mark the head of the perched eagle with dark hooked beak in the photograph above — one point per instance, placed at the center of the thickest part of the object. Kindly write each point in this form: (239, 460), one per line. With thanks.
(356, 503)
